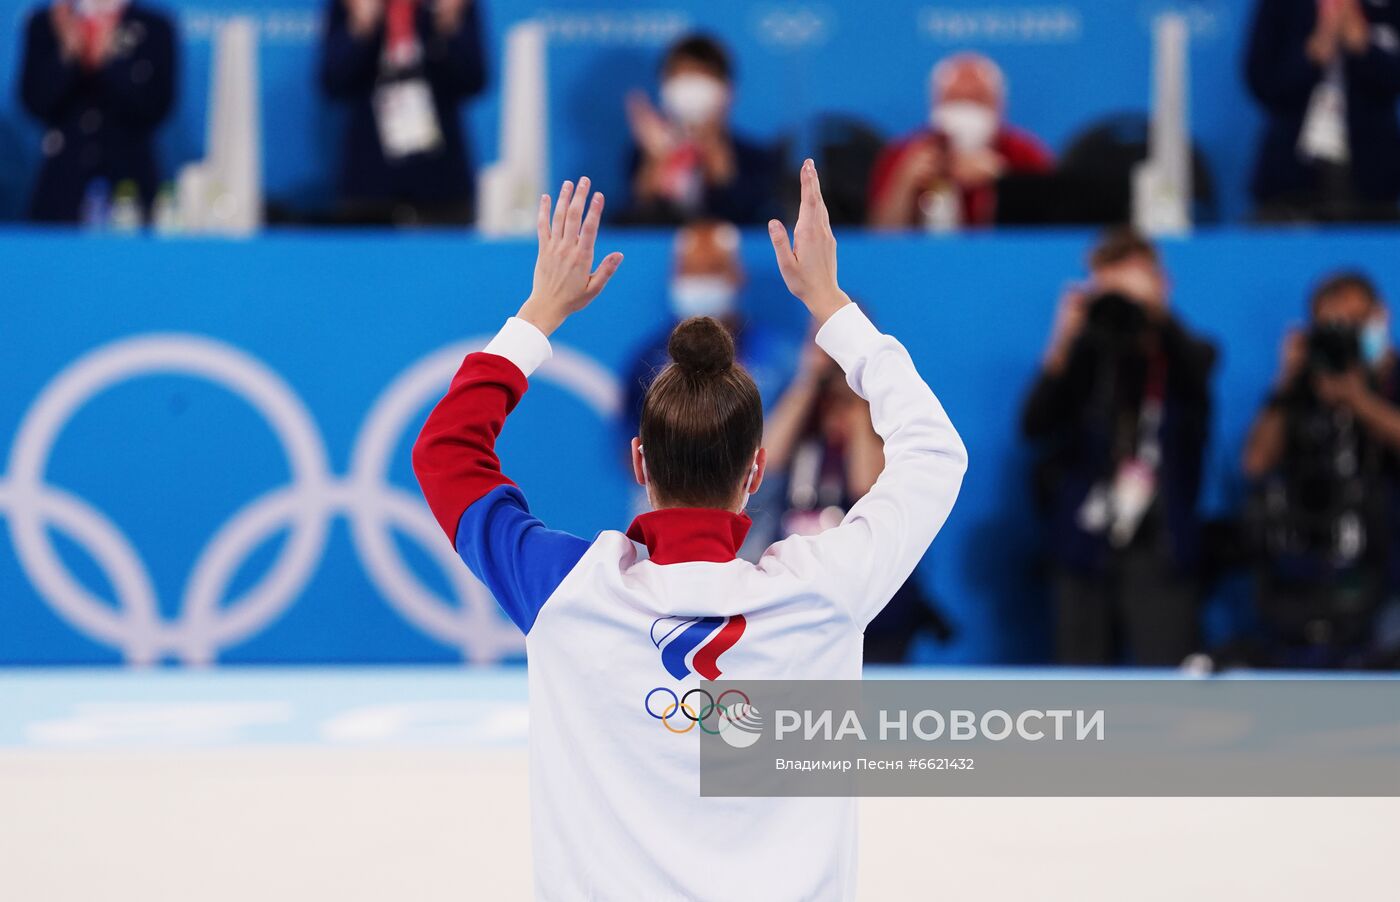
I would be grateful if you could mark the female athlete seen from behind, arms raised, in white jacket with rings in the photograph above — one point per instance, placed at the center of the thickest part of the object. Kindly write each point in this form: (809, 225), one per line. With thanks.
(619, 628)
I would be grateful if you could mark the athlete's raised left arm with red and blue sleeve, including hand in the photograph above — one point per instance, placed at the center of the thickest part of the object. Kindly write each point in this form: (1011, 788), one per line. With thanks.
(481, 511)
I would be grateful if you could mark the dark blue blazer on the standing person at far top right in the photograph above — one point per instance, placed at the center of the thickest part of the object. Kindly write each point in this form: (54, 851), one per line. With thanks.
(1283, 79)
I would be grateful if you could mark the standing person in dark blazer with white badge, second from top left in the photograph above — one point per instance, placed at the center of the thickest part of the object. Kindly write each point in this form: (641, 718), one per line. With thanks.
(405, 67)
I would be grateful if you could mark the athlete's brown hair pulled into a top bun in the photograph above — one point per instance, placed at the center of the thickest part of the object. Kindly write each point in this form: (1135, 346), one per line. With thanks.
(702, 419)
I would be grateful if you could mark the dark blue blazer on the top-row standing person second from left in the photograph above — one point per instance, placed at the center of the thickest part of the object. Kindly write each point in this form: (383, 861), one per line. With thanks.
(454, 68)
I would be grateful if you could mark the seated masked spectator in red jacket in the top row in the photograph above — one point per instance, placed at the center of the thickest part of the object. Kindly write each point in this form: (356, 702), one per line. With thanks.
(946, 176)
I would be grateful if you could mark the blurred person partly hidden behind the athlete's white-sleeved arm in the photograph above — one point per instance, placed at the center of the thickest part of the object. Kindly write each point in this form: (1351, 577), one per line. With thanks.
(825, 456)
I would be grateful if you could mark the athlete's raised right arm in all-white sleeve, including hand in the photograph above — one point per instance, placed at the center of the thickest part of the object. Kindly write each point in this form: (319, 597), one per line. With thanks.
(869, 557)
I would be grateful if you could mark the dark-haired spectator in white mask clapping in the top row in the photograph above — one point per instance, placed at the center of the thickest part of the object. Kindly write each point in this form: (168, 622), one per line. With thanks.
(688, 163)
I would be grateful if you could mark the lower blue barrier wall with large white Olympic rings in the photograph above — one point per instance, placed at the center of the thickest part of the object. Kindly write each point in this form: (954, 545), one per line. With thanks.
(162, 464)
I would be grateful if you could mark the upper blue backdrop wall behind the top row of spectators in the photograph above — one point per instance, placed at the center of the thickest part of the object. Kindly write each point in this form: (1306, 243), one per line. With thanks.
(1069, 62)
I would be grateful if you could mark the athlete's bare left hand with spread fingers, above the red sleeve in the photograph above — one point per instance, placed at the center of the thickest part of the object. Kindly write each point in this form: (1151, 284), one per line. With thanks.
(565, 275)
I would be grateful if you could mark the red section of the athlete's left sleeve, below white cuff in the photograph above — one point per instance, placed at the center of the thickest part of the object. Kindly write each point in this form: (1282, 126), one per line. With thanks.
(454, 457)
